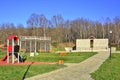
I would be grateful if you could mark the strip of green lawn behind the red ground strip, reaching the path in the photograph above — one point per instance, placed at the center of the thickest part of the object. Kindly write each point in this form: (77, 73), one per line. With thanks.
(54, 57)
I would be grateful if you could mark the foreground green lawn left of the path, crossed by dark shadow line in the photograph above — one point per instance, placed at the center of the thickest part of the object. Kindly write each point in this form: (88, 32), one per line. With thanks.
(18, 72)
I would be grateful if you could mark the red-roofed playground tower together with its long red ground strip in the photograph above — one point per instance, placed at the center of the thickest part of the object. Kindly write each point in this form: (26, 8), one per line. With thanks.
(13, 51)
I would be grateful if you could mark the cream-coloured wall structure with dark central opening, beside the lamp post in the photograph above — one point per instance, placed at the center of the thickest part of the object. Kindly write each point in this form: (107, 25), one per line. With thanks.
(91, 44)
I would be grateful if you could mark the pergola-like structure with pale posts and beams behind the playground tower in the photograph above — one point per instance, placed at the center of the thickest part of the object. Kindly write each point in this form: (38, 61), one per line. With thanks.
(35, 44)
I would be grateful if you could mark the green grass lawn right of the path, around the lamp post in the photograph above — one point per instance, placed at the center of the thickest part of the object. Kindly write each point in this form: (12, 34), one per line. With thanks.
(110, 70)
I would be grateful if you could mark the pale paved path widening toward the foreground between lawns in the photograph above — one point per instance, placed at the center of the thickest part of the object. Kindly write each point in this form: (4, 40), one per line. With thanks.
(80, 71)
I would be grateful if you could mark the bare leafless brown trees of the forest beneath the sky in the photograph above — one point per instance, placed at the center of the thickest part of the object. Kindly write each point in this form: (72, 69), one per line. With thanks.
(61, 30)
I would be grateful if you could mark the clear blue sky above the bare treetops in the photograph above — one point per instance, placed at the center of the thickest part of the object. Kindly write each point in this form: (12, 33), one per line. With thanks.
(18, 11)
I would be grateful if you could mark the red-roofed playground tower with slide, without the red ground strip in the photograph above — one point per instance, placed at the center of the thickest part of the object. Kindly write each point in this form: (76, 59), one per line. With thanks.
(12, 50)
